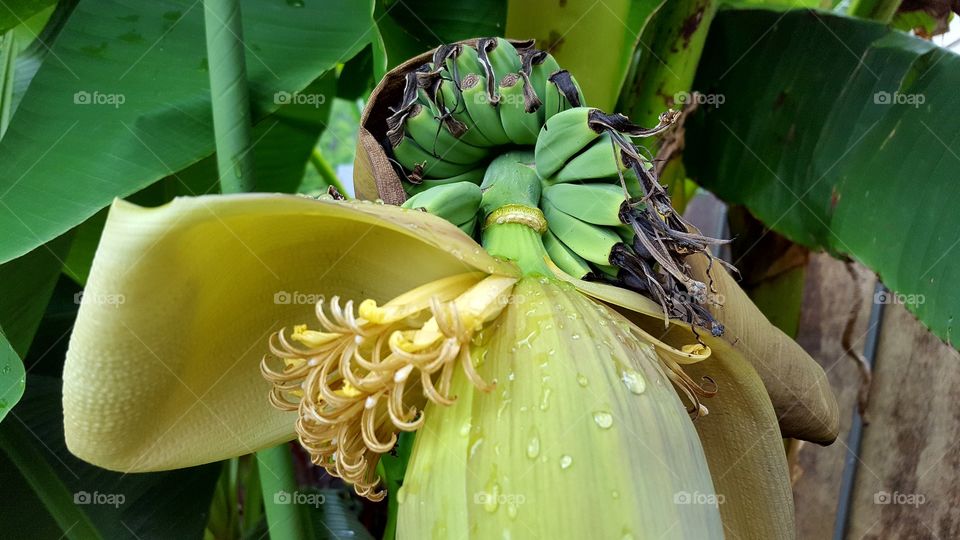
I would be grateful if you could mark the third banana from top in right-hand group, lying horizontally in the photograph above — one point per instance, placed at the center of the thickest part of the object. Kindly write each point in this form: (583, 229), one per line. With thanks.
(598, 204)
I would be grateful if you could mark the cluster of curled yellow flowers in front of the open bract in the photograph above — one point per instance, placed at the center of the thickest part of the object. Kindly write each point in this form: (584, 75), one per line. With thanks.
(365, 376)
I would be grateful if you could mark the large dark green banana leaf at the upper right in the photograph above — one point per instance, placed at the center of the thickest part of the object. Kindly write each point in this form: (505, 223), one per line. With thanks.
(839, 134)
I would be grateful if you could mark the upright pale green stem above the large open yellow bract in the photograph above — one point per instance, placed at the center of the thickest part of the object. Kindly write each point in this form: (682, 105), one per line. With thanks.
(230, 95)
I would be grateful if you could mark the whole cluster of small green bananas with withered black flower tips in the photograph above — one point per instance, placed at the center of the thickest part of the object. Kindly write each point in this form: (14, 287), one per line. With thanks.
(608, 217)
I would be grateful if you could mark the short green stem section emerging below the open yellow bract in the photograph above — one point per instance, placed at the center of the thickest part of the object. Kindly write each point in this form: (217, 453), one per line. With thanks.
(278, 484)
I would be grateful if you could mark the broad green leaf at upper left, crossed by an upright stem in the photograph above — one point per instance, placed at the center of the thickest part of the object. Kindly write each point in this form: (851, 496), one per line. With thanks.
(123, 100)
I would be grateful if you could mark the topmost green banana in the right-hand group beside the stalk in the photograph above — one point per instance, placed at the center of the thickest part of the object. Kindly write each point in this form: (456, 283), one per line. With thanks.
(562, 137)
